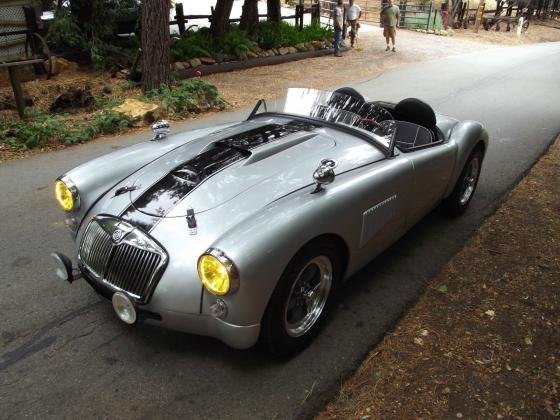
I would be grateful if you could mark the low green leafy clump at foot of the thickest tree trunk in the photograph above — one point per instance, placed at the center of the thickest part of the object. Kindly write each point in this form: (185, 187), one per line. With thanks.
(190, 96)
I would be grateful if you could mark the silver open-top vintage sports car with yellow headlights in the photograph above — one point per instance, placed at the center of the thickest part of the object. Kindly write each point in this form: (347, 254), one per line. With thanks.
(244, 231)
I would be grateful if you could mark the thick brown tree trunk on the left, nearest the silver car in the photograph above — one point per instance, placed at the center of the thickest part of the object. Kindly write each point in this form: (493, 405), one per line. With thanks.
(155, 44)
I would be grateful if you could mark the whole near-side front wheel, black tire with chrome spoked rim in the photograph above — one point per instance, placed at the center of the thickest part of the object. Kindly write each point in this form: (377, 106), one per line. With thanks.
(301, 299)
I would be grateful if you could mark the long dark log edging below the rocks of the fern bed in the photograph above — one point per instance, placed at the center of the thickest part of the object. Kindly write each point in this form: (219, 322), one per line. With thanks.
(252, 62)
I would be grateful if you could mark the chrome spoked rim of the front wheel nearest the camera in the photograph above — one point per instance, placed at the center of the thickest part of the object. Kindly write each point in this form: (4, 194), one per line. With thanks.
(308, 296)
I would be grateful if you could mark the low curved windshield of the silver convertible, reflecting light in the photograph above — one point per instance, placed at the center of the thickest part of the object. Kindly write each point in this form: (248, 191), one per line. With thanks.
(335, 110)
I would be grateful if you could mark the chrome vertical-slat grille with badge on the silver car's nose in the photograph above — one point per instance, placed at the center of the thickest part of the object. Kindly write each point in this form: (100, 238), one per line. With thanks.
(133, 263)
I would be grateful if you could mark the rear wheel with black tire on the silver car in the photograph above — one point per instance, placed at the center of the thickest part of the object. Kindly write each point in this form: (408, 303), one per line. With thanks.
(465, 187)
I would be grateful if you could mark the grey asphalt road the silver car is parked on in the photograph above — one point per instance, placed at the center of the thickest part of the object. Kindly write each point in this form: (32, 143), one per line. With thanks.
(64, 354)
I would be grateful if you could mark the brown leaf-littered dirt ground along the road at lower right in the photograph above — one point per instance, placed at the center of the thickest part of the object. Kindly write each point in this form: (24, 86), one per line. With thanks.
(484, 339)
